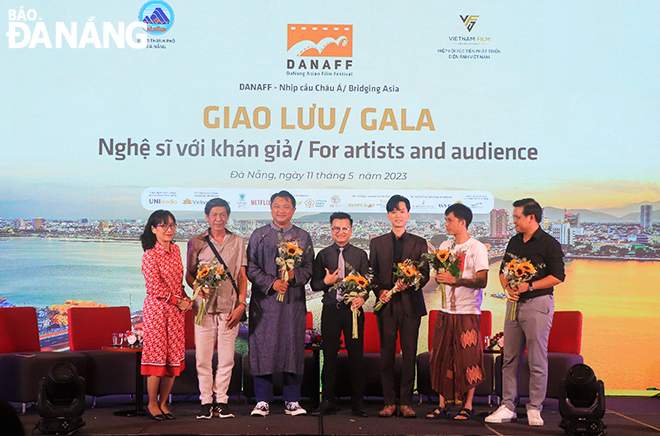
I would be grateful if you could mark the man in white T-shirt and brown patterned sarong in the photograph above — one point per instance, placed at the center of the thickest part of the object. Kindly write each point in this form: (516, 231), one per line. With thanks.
(457, 352)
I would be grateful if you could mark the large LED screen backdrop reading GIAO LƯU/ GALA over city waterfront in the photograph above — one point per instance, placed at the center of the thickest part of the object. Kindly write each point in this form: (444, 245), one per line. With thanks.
(110, 111)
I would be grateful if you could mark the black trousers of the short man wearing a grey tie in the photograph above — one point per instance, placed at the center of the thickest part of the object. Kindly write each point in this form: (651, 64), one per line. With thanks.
(335, 319)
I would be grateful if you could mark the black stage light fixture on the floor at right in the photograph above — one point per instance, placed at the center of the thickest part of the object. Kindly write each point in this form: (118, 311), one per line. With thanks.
(582, 402)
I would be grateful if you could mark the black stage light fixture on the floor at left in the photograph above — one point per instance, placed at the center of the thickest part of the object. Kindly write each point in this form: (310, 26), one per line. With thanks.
(61, 400)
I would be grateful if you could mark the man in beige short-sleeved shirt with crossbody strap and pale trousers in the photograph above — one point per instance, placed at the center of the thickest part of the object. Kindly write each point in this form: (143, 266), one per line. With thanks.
(218, 306)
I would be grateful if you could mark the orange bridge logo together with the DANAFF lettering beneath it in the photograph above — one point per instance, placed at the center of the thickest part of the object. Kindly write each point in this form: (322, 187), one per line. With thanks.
(316, 41)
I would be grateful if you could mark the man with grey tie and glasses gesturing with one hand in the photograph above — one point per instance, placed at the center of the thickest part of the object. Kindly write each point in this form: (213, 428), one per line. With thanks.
(332, 265)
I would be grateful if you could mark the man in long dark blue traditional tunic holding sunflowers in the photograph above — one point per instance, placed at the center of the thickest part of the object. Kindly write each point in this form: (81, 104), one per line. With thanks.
(278, 306)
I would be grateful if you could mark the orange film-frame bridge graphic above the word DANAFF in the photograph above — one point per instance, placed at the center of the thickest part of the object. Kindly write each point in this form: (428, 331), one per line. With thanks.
(320, 40)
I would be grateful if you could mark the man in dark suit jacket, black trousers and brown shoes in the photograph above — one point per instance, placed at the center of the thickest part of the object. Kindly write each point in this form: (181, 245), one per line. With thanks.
(404, 310)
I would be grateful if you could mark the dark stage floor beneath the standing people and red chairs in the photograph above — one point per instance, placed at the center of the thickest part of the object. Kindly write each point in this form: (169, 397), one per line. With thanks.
(625, 416)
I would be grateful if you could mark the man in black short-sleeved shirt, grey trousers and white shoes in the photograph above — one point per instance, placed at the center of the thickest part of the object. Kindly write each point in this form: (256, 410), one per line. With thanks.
(536, 307)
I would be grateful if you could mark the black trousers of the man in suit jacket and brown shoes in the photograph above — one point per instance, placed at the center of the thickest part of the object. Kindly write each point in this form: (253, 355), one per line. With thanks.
(390, 323)
